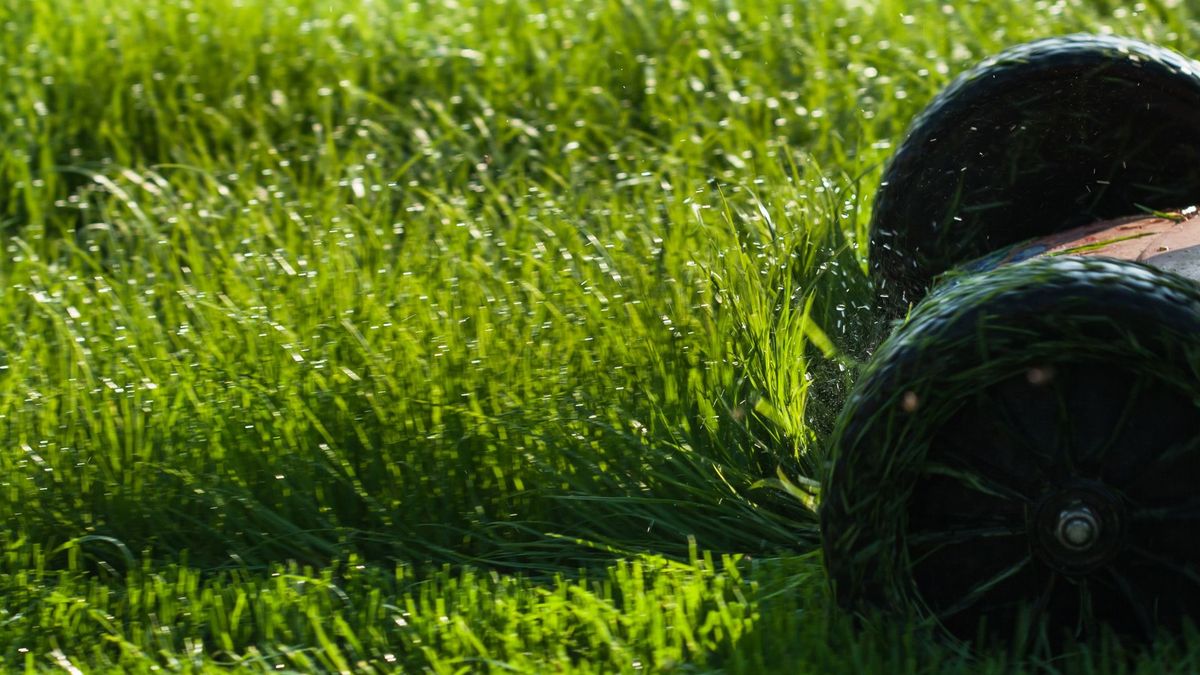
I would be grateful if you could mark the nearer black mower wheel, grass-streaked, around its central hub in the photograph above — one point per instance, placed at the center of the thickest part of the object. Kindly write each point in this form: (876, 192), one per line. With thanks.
(950, 439)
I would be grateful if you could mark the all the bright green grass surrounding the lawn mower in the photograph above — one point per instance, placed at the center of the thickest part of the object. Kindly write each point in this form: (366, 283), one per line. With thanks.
(381, 336)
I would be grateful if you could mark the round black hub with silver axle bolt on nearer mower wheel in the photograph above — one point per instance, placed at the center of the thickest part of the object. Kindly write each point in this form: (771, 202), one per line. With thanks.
(1079, 528)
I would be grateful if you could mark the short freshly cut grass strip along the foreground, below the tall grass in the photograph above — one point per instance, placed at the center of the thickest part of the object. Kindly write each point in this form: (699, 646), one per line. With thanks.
(641, 614)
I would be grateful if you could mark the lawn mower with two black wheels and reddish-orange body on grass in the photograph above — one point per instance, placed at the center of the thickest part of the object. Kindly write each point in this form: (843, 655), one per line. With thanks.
(1023, 452)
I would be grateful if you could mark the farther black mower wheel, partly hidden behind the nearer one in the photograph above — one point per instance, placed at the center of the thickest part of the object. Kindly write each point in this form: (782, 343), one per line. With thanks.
(1040, 139)
